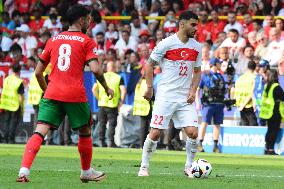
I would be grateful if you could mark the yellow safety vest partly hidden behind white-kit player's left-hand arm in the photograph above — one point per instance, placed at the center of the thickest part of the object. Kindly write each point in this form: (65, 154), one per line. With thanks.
(141, 106)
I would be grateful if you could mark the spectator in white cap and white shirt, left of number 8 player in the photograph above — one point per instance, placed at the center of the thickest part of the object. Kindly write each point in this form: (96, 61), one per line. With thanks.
(27, 42)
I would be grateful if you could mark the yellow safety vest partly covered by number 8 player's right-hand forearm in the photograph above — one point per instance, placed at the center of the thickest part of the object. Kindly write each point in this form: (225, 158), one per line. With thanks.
(113, 81)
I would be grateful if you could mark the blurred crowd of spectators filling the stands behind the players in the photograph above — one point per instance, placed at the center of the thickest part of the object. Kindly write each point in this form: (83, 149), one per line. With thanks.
(236, 40)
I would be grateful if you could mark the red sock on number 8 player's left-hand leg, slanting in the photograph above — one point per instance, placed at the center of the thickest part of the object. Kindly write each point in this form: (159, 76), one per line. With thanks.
(32, 147)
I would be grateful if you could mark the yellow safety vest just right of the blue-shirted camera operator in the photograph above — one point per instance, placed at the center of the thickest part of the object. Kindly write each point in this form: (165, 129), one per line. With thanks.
(243, 89)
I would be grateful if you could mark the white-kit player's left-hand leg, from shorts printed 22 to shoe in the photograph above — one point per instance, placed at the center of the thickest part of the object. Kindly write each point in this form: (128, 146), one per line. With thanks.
(162, 113)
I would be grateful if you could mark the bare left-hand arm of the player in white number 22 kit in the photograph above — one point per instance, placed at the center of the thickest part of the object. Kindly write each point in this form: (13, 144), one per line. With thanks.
(149, 78)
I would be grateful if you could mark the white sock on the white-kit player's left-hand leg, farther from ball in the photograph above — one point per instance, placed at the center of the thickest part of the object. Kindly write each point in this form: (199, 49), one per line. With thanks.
(148, 149)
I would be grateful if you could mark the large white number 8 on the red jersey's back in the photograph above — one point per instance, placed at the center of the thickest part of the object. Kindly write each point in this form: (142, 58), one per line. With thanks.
(64, 53)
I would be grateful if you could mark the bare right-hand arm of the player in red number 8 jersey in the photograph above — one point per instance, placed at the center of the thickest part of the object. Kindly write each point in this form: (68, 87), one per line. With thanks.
(97, 70)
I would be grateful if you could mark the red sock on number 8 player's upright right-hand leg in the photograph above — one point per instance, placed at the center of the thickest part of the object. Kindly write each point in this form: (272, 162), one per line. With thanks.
(85, 148)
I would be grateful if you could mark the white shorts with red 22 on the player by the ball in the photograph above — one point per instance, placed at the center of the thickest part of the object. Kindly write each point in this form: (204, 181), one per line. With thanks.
(182, 114)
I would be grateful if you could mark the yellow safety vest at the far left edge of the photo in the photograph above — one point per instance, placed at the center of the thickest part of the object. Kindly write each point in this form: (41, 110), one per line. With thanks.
(10, 96)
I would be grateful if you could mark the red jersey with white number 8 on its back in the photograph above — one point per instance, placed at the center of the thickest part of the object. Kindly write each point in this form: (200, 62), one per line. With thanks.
(68, 53)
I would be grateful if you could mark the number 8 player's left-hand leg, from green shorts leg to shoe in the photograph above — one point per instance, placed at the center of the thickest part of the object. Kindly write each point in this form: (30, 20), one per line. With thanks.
(50, 115)
